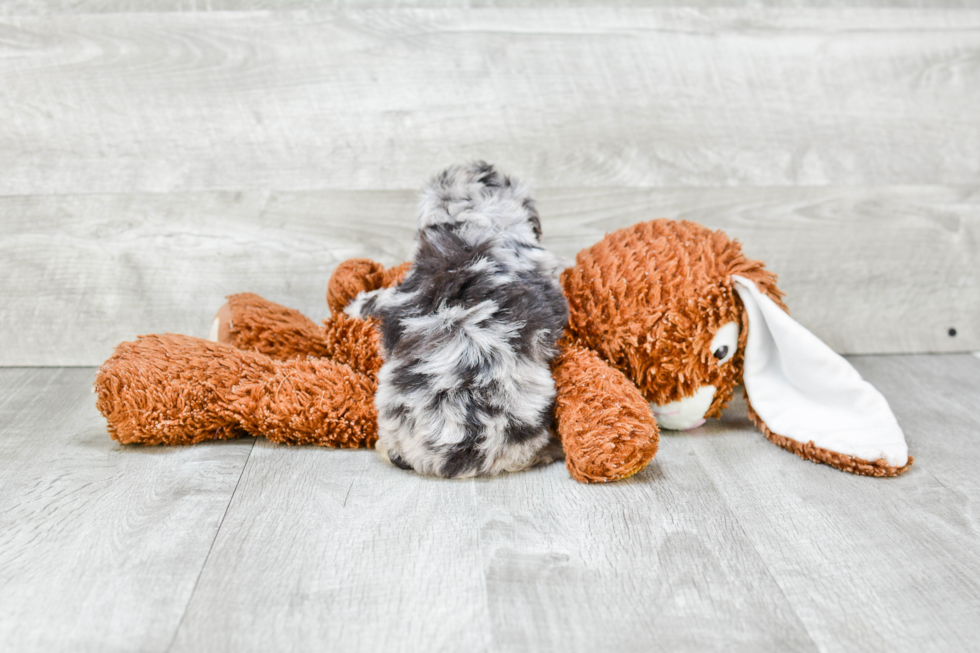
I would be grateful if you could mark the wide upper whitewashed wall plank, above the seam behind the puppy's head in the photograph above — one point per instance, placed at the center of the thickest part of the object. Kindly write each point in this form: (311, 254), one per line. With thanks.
(570, 96)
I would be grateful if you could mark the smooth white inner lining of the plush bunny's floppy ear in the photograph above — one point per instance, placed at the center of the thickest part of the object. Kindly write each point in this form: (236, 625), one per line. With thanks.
(803, 390)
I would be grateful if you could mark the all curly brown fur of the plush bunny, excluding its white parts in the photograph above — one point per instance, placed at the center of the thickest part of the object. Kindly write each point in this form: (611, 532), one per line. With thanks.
(644, 305)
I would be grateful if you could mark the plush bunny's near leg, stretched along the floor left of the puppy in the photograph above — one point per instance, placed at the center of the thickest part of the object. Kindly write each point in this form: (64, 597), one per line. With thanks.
(172, 389)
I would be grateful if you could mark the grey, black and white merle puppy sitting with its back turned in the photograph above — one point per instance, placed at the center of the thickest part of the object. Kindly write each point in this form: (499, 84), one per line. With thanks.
(466, 387)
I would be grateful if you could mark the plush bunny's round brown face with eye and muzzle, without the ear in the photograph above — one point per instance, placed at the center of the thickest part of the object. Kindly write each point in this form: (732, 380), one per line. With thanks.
(657, 300)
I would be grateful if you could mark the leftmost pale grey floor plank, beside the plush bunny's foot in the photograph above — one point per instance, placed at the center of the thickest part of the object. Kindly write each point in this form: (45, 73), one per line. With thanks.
(100, 545)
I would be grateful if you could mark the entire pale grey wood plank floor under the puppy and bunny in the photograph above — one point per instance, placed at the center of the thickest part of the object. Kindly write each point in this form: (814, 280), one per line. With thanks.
(724, 543)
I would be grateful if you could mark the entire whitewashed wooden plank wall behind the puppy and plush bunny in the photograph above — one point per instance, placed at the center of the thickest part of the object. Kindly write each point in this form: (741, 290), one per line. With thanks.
(155, 160)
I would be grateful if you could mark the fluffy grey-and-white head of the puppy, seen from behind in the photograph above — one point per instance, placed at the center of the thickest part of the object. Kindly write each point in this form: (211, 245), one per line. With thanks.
(478, 202)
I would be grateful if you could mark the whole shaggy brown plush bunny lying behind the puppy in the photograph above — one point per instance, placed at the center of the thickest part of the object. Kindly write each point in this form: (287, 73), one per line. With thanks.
(666, 318)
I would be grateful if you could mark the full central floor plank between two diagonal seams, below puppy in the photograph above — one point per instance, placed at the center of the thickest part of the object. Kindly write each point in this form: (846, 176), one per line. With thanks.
(326, 546)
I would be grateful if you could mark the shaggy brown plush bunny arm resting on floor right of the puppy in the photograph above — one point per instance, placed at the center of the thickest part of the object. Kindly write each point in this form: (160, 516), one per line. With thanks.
(606, 426)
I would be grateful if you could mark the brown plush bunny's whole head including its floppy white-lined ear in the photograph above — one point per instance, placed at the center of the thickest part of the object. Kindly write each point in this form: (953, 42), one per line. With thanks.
(686, 316)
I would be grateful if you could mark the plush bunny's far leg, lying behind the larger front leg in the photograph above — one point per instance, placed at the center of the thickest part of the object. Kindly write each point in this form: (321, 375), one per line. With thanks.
(252, 323)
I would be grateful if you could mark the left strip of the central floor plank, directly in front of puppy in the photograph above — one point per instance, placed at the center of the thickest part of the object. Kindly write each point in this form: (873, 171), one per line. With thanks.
(329, 546)
